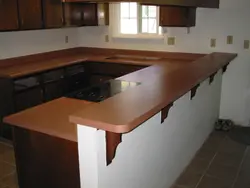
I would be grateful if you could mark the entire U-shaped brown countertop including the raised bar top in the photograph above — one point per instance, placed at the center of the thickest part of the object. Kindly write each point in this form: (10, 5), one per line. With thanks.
(164, 81)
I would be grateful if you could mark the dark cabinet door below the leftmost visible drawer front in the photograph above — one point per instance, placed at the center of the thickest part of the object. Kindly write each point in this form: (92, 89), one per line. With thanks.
(28, 98)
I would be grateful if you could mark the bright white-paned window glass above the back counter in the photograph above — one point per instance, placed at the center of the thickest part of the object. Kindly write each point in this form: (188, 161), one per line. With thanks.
(139, 19)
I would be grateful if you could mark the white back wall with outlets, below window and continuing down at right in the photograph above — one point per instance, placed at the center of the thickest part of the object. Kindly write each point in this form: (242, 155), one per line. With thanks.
(231, 19)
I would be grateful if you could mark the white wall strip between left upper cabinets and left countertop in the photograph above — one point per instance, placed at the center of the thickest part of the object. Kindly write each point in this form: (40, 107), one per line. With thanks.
(19, 43)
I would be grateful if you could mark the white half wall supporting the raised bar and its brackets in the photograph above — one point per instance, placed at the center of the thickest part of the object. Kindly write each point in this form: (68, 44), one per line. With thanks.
(154, 154)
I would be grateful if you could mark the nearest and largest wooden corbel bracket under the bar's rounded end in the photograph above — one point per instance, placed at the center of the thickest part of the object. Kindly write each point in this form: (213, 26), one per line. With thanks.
(112, 142)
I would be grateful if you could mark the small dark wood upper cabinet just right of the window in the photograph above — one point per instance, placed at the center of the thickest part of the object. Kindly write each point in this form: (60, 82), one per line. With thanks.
(177, 16)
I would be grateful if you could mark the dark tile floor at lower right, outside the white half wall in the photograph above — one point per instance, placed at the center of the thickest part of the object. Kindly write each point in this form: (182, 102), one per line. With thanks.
(220, 163)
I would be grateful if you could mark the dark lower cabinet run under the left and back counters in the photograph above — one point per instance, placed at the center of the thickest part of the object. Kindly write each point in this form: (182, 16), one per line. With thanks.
(26, 92)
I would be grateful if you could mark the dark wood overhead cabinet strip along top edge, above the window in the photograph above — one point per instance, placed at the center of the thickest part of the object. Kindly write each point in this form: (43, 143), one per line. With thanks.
(189, 3)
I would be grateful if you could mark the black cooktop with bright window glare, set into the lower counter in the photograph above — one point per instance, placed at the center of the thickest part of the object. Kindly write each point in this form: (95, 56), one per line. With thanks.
(100, 92)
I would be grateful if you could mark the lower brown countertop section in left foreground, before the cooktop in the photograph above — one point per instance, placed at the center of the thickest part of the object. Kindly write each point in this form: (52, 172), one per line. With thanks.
(51, 118)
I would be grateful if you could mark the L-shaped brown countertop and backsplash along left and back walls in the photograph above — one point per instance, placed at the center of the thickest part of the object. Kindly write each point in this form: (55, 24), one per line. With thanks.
(22, 66)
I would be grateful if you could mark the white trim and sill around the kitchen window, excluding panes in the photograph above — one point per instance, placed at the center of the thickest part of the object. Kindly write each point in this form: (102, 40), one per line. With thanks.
(115, 29)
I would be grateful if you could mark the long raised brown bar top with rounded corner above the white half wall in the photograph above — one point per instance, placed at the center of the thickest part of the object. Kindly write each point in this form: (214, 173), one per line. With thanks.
(160, 87)
